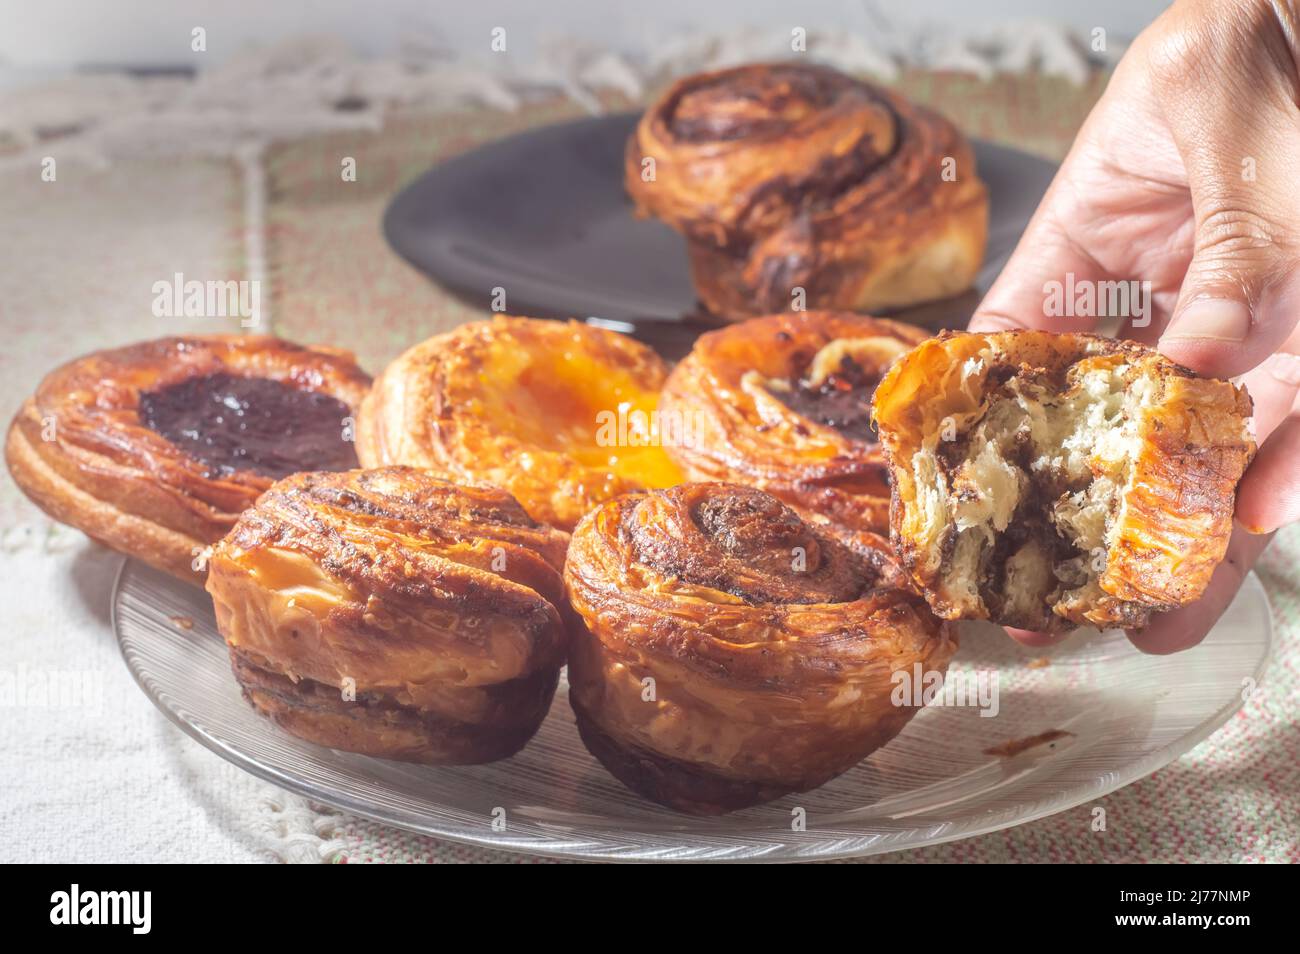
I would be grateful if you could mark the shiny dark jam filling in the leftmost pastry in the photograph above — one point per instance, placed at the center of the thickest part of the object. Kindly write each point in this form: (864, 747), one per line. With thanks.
(232, 424)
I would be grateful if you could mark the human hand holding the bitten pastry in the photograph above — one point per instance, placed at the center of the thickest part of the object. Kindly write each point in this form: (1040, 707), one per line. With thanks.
(1188, 176)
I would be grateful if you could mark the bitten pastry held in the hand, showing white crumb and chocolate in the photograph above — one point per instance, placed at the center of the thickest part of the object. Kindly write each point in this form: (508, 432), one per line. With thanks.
(1046, 482)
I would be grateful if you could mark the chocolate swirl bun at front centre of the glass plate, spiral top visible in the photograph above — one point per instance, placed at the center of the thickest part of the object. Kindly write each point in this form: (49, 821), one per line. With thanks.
(734, 653)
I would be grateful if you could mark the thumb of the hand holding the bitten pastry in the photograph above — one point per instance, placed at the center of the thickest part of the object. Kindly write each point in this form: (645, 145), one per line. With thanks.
(1225, 76)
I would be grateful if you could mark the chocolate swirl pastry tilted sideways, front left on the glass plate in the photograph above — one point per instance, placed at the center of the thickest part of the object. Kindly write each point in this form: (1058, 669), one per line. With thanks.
(393, 614)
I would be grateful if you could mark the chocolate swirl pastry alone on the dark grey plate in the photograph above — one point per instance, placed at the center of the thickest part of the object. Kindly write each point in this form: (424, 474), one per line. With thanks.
(788, 177)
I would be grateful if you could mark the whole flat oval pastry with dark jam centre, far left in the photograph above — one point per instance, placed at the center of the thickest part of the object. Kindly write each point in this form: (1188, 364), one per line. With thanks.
(155, 449)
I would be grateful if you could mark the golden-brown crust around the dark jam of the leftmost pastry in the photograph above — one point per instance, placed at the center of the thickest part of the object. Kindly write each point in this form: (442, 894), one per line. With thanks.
(81, 452)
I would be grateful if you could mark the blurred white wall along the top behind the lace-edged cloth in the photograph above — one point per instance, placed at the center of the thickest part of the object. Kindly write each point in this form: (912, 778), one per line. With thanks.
(50, 36)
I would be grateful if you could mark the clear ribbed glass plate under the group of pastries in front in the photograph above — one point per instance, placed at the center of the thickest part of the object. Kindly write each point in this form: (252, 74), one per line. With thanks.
(1126, 714)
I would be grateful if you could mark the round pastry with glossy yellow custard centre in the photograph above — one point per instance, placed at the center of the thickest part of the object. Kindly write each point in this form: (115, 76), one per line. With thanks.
(562, 415)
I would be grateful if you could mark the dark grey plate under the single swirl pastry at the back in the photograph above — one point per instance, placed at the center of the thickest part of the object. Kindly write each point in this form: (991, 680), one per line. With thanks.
(544, 216)
